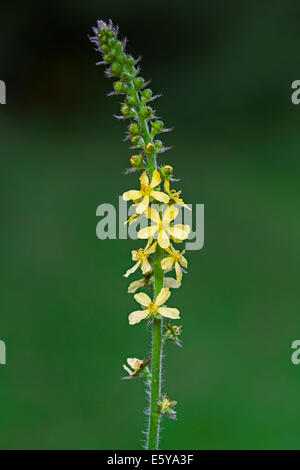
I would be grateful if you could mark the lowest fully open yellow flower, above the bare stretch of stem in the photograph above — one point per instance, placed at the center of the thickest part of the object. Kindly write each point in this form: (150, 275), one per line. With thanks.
(153, 308)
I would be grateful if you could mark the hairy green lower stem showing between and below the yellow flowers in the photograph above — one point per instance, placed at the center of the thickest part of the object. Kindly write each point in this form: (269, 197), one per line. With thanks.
(154, 419)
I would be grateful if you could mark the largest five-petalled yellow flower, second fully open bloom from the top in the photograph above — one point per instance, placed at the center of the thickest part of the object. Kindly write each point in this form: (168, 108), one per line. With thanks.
(162, 226)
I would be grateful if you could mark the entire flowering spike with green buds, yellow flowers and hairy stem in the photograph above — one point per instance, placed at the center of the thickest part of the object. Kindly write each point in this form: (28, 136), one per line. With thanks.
(156, 200)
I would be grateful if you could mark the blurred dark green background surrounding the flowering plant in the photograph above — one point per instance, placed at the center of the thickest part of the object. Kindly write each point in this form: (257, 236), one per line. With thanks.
(225, 70)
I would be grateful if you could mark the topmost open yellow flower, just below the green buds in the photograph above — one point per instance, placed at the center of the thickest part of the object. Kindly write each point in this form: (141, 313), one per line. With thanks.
(147, 190)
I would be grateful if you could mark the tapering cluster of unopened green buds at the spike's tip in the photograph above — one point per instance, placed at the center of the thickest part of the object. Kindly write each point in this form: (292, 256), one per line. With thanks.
(123, 67)
